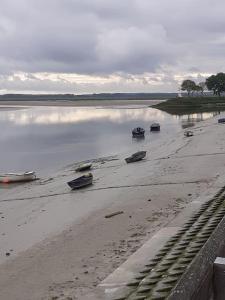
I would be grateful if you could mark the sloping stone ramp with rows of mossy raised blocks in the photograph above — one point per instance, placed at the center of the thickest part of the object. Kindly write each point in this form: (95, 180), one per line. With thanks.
(177, 262)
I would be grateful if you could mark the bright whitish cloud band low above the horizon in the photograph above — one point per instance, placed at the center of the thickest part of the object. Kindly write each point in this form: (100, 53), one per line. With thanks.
(124, 83)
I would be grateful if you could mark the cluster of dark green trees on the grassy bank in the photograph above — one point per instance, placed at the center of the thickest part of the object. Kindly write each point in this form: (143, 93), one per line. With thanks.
(214, 83)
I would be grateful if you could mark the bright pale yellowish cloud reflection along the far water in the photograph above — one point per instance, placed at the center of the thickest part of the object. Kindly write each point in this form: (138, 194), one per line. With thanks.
(66, 115)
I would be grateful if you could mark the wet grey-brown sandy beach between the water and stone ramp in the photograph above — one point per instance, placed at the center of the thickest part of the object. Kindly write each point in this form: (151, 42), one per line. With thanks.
(57, 244)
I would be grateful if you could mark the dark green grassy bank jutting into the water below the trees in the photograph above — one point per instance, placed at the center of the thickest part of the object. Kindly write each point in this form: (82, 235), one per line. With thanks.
(188, 105)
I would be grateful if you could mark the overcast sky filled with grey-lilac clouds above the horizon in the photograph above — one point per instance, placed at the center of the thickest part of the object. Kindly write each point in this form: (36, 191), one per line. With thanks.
(71, 46)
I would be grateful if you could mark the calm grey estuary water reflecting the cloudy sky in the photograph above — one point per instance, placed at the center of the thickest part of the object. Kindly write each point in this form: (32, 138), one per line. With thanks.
(46, 138)
